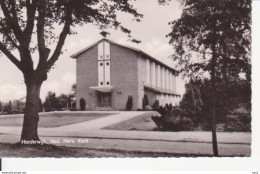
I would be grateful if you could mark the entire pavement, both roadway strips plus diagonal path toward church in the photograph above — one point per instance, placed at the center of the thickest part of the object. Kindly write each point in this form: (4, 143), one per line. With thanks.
(146, 141)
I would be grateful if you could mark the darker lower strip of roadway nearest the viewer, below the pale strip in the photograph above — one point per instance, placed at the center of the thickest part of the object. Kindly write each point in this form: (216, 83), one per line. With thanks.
(184, 148)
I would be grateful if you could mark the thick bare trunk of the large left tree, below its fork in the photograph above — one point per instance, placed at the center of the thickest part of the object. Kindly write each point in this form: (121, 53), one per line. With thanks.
(31, 116)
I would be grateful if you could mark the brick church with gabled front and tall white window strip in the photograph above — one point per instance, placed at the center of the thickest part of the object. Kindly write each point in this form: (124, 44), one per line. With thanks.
(108, 72)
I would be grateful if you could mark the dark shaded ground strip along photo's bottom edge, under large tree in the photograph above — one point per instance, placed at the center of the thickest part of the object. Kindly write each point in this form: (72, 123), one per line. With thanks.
(26, 151)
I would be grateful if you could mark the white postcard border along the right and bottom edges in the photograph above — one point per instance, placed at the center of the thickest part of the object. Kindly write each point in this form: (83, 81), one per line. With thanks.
(164, 164)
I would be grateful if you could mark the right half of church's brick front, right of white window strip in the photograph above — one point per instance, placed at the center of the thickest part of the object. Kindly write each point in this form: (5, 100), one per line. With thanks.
(123, 76)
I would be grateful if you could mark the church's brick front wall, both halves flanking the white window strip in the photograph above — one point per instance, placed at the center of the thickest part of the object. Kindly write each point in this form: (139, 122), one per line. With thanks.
(123, 77)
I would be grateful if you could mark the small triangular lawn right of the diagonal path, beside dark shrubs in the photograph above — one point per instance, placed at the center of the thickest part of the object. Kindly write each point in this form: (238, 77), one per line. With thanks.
(142, 122)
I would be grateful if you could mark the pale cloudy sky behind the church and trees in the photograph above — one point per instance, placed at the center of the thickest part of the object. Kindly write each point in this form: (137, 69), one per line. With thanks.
(152, 31)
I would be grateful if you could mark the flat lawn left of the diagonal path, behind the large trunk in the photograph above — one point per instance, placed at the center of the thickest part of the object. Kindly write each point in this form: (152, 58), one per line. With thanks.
(54, 119)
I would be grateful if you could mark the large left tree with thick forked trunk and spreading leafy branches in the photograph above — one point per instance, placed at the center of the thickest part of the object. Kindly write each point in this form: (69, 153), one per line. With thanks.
(27, 27)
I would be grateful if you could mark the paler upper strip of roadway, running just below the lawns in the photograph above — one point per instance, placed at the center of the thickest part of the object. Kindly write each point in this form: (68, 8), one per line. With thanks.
(199, 137)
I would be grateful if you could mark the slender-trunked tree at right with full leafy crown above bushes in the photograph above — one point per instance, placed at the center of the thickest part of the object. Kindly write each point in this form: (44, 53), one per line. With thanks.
(212, 39)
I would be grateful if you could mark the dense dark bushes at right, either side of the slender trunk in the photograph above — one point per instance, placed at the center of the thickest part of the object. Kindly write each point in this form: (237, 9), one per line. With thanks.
(228, 97)
